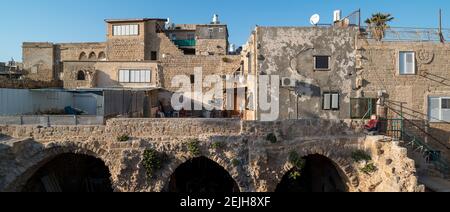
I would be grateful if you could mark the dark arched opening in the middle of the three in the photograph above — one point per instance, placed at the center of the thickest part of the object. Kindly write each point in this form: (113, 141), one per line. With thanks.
(201, 175)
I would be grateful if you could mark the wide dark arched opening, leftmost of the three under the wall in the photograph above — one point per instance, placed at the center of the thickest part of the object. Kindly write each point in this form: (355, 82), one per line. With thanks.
(71, 173)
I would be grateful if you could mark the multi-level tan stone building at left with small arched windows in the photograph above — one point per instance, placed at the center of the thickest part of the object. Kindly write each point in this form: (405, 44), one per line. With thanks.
(137, 54)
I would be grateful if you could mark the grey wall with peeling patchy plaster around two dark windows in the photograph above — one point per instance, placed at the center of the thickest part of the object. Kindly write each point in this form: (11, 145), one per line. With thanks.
(289, 52)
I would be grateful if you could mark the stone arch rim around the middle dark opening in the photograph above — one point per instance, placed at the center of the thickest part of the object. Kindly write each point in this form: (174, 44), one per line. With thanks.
(226, 167)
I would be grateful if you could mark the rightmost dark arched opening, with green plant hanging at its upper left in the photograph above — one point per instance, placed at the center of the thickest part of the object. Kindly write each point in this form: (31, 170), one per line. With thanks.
(320, 174)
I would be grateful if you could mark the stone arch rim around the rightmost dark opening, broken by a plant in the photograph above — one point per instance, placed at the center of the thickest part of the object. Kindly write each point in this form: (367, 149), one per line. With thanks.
(342, 164)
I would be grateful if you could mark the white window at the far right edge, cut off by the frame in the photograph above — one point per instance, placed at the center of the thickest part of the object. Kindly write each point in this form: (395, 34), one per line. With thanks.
(439, 109)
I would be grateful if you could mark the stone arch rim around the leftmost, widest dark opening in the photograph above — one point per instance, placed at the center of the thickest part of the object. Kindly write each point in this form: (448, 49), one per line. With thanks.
(30, 164)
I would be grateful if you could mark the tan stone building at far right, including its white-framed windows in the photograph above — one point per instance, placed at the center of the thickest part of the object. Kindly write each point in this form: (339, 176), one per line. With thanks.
(412, 78)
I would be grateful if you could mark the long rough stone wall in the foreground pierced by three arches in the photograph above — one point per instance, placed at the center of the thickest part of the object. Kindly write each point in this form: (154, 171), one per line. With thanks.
(262, 163)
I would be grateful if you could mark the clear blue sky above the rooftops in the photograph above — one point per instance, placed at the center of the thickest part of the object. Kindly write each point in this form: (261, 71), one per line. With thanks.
(82, 20)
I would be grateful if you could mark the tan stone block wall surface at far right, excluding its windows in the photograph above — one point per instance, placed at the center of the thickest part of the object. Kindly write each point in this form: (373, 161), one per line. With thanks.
(378, 66)
